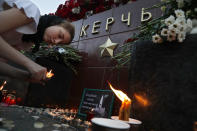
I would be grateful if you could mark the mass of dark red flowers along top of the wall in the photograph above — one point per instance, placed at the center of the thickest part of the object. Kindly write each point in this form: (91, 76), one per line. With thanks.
(78, 9)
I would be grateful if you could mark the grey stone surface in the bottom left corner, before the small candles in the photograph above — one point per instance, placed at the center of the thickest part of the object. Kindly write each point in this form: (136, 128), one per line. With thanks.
(18, 119)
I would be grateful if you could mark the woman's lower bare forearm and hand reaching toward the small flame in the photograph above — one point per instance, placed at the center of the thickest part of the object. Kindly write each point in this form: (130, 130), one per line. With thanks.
(6, 51)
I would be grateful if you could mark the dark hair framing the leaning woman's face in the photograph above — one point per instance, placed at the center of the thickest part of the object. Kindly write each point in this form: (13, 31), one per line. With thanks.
(44, 22)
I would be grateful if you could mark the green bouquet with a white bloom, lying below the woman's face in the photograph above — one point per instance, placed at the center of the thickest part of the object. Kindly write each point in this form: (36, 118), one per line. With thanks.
(62, 54)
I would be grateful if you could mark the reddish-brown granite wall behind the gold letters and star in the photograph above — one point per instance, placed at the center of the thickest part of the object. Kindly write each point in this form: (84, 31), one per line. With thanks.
(95, 71)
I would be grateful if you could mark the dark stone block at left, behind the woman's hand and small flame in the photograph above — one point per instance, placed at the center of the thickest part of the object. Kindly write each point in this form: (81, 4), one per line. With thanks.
(55, 91)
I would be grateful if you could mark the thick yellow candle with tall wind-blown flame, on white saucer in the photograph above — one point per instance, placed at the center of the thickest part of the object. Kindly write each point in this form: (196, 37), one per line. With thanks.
(124, 112)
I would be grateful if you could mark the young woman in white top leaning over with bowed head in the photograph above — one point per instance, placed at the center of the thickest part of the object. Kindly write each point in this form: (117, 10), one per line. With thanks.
(18, 17)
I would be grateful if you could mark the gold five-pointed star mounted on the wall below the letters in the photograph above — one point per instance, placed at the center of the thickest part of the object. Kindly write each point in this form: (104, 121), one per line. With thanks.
(107, 49)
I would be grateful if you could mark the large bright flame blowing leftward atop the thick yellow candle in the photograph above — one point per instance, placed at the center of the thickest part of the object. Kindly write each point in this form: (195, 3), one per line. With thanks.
(122, 96)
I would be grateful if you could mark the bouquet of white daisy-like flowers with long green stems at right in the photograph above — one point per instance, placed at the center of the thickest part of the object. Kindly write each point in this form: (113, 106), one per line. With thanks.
(173, 25)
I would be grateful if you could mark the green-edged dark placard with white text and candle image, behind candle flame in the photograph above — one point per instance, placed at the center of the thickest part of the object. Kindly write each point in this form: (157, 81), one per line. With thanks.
(99, 101)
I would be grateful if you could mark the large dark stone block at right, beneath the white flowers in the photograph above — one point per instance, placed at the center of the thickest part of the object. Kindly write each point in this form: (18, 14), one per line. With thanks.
(166, 75)
